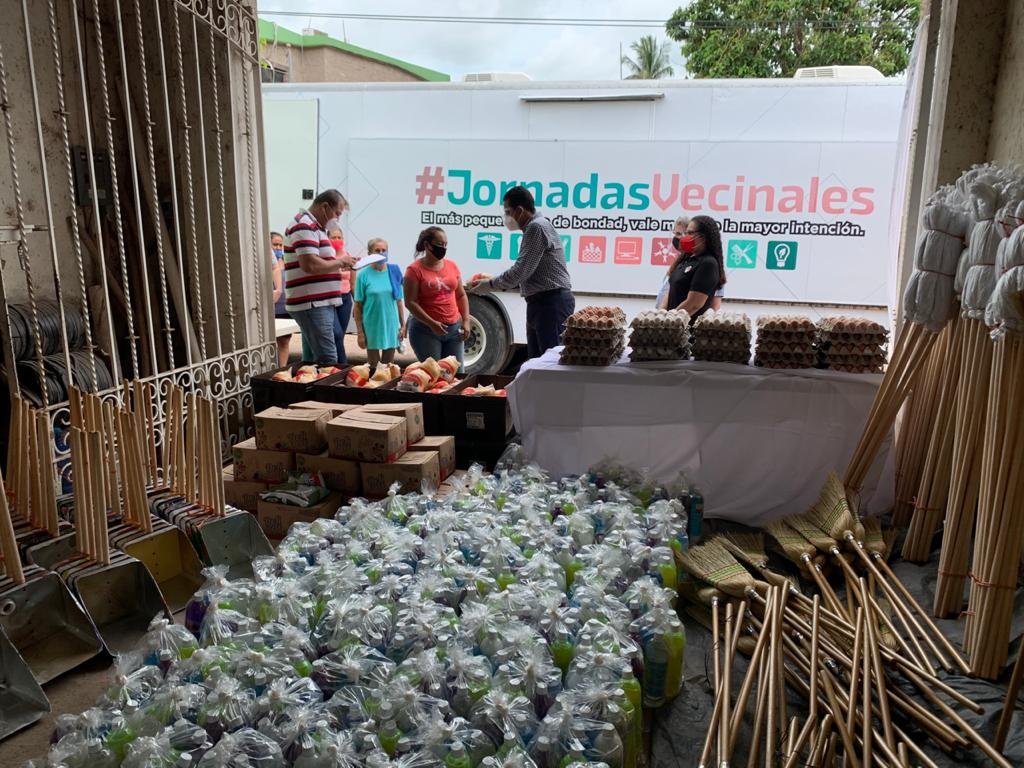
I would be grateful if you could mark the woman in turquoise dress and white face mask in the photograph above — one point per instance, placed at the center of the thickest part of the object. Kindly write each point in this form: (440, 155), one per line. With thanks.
(379, 310)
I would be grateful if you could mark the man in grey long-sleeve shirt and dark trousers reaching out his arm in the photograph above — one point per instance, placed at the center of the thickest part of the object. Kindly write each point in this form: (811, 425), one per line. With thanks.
(540, 274)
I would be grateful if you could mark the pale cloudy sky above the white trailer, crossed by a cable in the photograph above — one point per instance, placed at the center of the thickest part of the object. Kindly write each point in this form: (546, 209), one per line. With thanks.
(541, 53)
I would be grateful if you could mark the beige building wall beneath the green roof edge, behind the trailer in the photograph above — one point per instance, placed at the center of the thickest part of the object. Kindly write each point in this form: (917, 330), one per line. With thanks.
(325, 65)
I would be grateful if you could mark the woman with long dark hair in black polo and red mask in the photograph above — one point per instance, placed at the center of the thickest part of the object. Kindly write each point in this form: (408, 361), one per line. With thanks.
(701, 273)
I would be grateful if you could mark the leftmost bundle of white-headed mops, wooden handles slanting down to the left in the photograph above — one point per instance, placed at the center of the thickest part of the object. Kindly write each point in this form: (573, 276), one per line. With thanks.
(928, 307)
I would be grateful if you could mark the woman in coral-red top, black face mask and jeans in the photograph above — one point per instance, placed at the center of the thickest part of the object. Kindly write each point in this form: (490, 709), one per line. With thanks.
(437, 301)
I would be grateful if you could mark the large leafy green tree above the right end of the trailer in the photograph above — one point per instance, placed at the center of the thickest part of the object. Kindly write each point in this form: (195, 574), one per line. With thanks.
(775, 38)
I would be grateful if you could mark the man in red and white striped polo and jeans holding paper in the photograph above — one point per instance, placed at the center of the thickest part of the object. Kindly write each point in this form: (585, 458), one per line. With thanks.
(313, 274)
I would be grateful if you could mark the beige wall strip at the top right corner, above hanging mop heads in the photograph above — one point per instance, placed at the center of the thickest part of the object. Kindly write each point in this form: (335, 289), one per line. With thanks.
(1007, 138)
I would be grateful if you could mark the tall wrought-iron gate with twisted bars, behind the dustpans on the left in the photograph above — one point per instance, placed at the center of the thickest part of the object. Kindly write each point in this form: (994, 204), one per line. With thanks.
(134, 217)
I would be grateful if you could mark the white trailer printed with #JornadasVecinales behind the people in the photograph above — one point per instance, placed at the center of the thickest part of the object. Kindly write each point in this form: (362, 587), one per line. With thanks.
(798, 173)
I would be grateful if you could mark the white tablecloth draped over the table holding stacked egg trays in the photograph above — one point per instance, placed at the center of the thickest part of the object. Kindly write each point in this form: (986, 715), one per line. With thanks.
(758, 443)
